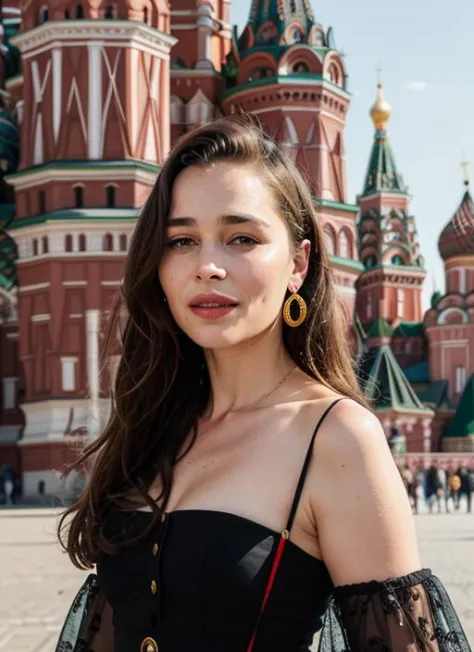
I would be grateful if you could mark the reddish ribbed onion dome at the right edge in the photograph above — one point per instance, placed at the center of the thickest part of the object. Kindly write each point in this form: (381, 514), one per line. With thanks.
(457, 237)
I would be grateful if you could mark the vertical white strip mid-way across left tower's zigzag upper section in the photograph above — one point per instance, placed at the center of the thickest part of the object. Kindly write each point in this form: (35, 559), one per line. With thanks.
(94, 116)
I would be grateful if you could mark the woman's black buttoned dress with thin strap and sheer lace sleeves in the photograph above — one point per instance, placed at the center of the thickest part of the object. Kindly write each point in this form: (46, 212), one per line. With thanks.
(209, 581)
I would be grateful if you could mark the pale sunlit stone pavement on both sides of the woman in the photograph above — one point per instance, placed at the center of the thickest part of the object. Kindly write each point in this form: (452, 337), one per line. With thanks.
(37, 582)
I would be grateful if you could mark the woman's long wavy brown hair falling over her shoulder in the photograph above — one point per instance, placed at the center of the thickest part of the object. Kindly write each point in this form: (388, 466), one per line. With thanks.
(162, 385)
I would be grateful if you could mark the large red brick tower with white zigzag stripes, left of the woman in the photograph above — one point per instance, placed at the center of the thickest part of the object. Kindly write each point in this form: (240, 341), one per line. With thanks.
(94, 129)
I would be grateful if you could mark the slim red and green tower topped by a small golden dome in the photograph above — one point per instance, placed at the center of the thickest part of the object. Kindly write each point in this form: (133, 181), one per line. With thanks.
(391, 284)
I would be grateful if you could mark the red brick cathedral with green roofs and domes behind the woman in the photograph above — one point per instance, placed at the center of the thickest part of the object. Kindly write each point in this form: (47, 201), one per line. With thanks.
(92, 96)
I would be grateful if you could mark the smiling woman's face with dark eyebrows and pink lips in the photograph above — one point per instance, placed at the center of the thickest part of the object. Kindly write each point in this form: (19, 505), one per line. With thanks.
(228, 258)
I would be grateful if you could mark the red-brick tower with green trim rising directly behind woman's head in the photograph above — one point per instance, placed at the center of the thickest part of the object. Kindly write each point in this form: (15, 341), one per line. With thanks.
(287, 71)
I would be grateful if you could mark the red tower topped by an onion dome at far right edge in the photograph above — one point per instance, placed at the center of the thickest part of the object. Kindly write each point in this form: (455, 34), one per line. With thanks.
(449, 324)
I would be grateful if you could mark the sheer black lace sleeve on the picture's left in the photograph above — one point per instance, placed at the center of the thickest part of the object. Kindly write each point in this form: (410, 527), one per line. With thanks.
(88, 626)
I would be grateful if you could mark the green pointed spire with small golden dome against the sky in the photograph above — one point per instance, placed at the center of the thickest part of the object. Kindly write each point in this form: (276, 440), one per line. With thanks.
(382, 174)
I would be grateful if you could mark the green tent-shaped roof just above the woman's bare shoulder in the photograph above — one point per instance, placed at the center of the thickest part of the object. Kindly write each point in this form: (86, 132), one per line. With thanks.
(385, 384)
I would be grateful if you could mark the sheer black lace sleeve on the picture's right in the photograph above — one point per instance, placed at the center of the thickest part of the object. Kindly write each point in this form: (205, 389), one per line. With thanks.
(412, 613)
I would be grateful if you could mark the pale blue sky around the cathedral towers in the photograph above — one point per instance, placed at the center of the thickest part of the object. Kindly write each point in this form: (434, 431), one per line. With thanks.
(426, 51)
